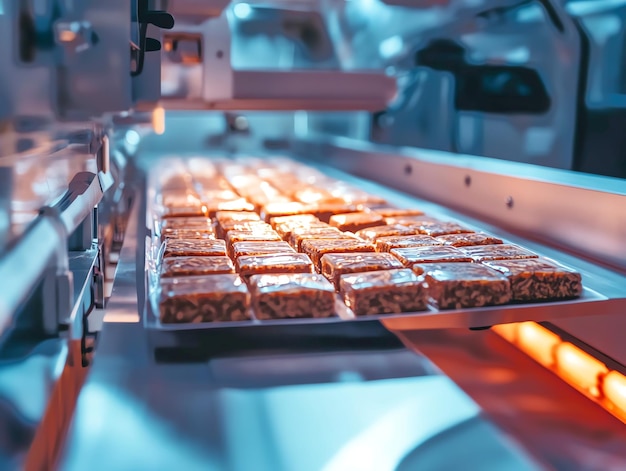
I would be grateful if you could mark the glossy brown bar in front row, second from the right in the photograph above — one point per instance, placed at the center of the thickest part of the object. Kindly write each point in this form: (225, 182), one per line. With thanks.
(462, 285)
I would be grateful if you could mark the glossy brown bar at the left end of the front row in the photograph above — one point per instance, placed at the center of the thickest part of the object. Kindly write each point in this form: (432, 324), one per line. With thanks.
(211, 298)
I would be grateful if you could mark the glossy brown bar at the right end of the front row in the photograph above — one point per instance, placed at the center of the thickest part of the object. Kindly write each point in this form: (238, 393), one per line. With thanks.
(539, 279)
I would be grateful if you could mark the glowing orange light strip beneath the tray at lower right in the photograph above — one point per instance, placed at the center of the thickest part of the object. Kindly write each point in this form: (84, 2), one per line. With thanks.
(575, 366)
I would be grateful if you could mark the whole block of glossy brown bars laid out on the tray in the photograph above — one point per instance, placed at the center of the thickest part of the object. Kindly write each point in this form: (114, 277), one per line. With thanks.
(284, 239)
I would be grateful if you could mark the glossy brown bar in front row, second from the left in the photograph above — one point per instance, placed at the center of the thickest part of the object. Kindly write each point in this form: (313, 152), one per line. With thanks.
(292, 296)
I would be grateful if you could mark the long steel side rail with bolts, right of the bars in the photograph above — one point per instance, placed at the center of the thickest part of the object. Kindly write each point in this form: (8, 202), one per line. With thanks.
(579, 212)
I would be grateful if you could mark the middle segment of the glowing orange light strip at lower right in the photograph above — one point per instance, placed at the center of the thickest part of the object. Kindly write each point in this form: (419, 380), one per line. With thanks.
(579, 368)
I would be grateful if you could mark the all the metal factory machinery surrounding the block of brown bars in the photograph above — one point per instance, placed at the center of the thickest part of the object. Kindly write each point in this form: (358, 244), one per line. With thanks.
(501, 115)
